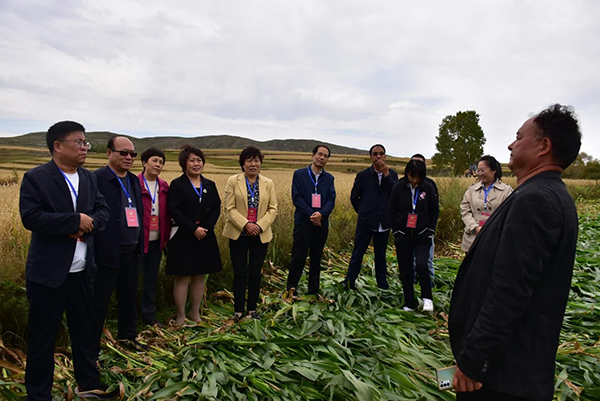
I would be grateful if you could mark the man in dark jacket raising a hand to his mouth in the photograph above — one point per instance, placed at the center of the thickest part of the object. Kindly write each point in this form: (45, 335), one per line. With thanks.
(370, 197)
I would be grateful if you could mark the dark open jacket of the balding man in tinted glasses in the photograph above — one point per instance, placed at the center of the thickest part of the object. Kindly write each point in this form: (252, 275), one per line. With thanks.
(107, 241)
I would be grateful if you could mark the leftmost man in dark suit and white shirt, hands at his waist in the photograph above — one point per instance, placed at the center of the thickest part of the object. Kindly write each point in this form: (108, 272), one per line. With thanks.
(61, 205)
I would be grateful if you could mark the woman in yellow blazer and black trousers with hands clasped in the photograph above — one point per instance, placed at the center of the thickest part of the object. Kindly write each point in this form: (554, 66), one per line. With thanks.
(250, 209)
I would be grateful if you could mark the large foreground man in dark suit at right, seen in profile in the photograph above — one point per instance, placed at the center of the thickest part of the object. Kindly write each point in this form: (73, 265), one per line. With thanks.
(511, 291)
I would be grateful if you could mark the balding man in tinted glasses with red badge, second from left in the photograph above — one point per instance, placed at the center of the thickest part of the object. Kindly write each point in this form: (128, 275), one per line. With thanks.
(119, 246)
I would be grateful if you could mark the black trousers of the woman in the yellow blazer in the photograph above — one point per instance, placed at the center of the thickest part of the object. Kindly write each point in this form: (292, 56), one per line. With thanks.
(247, 257)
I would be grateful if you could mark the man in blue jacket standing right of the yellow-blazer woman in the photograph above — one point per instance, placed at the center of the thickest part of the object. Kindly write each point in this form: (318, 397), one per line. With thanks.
(313, 195)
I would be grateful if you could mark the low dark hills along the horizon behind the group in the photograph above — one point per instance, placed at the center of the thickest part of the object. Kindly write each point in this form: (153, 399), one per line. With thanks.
(99, 140)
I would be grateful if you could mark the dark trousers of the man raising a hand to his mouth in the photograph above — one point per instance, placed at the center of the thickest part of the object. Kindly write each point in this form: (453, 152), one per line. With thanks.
(361, 243)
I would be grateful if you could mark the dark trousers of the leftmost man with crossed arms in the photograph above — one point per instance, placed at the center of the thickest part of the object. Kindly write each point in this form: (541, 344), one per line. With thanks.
(46, 307)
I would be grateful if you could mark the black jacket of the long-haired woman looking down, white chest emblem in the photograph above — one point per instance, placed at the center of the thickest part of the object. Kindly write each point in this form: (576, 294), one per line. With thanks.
(427, 209)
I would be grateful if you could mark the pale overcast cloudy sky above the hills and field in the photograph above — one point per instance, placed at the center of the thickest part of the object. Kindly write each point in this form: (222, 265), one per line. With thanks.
(344, 71)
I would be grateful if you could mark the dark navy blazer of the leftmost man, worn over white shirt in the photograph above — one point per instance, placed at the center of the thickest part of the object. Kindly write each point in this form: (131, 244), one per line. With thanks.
(47, 210)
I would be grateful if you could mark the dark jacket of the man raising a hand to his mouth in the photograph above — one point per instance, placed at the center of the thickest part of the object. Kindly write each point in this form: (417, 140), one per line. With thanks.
(370, 200)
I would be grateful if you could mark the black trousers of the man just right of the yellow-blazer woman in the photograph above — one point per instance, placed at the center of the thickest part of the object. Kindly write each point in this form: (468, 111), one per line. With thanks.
(307, 238)
